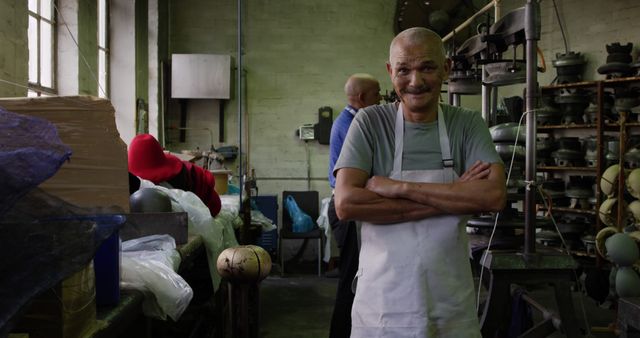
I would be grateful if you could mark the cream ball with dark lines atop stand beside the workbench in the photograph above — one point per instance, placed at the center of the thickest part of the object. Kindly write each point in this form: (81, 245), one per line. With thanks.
(245, 263)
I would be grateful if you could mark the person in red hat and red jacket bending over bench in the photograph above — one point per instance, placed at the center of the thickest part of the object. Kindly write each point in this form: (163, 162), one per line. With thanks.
(147, 160)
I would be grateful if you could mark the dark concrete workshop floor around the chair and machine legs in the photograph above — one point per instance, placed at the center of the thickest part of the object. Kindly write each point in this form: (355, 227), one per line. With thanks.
(300, 305)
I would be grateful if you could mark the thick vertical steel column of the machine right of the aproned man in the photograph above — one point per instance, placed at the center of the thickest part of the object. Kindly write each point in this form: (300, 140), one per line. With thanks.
(532, 35)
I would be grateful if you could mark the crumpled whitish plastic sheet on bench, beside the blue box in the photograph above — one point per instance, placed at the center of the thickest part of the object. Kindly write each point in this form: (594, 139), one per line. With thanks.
(149, 264)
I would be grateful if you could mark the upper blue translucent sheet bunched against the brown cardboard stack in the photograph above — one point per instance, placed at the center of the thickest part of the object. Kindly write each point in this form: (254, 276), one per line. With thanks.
(30, 152)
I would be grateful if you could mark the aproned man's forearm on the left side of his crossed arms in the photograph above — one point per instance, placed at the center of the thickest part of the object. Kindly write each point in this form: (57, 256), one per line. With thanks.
(364, 205)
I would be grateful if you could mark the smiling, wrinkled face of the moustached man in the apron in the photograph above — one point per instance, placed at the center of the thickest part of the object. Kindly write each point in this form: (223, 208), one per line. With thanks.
(417, 72)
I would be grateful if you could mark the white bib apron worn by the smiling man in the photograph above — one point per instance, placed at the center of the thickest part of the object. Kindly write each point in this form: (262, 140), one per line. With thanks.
(414, 278)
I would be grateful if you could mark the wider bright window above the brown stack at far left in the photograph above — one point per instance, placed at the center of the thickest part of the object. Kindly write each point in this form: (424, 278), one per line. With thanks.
(41, 47)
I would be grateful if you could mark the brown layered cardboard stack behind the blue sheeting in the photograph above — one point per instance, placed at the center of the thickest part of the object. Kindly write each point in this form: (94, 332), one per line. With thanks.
(97, 173)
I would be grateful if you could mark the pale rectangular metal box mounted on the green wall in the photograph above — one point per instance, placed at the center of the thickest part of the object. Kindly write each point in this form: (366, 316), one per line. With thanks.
(200, 76)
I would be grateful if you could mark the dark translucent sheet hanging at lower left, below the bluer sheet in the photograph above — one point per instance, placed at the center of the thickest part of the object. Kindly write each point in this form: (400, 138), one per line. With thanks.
(44, 239)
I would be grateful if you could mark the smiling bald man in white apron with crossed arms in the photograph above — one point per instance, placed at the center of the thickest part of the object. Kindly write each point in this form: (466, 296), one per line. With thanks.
(410, 171)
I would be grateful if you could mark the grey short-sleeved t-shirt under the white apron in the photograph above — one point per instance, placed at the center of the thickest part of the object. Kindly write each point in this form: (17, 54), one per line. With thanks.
(369, 144)
